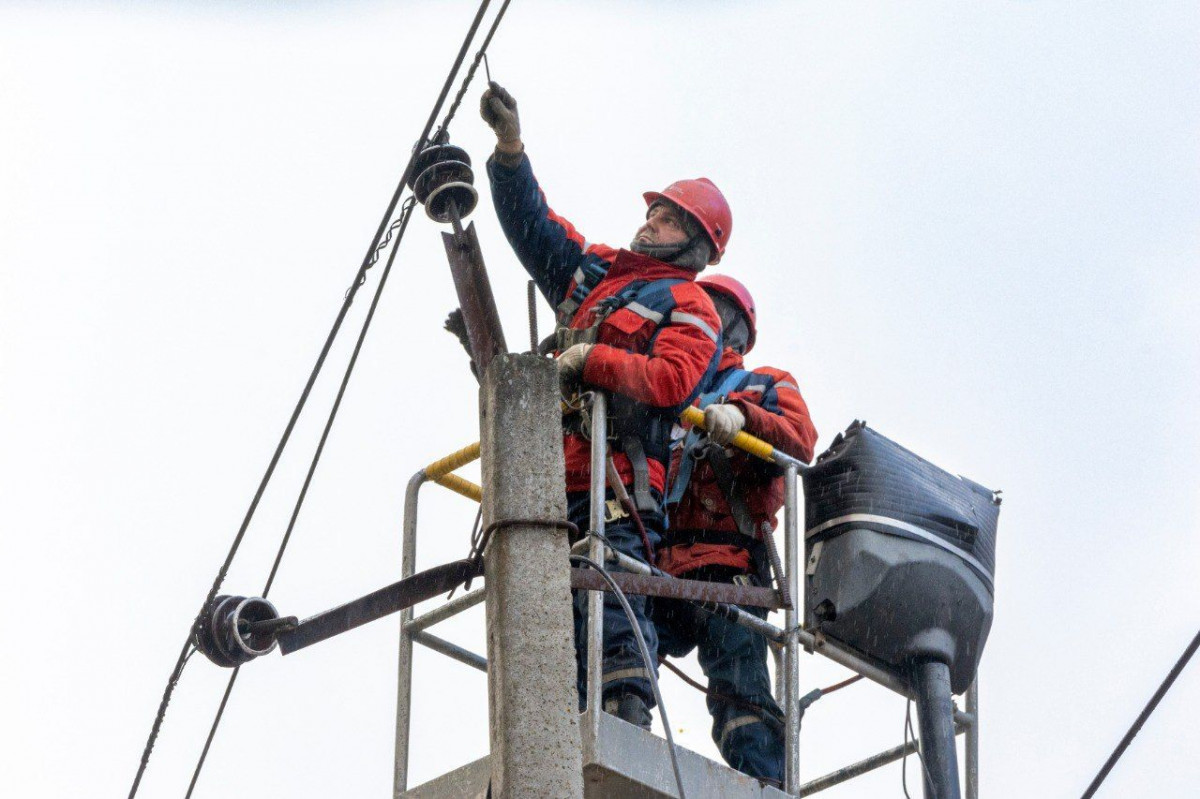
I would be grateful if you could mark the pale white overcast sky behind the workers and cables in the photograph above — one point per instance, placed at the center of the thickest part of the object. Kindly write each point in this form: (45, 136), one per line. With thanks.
(973, 225)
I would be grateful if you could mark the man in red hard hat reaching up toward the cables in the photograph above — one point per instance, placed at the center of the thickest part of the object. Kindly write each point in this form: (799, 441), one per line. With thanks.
(634, 325)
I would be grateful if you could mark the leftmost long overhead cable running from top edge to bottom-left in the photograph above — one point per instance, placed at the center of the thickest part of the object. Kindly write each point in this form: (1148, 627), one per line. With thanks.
(368, 262)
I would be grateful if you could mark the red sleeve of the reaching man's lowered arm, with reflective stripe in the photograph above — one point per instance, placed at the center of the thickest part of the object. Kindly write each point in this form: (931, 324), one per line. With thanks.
(681, 355)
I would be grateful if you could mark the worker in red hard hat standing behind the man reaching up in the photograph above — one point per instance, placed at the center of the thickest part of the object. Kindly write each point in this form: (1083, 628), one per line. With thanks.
(721, 503)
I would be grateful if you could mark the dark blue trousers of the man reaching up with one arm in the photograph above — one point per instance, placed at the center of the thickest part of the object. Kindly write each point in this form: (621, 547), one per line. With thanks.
(625, 671)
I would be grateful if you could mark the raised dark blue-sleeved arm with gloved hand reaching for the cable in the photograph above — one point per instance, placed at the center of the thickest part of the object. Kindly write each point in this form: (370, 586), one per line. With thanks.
(550, 249)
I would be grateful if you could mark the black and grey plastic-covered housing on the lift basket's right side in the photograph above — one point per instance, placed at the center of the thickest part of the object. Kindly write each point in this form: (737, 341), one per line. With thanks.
(901, 556)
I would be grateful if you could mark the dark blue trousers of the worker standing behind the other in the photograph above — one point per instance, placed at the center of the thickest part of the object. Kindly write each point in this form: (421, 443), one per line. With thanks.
(735, 660)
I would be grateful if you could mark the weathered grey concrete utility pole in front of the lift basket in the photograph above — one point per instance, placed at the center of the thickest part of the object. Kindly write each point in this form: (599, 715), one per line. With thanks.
(531, 660)
